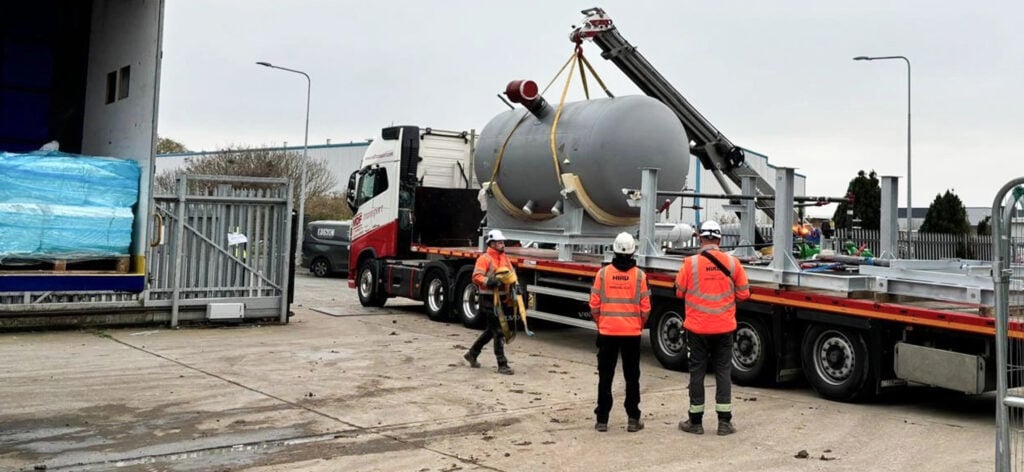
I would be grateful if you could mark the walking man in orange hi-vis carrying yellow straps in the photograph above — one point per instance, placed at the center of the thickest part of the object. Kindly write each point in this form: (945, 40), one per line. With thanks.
(486, 280)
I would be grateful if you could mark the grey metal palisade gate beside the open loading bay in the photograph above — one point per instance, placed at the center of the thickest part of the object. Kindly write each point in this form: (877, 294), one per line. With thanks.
(223, 245)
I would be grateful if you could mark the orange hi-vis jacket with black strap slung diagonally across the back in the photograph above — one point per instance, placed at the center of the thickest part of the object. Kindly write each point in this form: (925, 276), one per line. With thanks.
(710, 295)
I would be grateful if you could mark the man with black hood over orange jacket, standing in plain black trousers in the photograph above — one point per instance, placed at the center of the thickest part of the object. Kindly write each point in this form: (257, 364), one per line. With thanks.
(620, 305)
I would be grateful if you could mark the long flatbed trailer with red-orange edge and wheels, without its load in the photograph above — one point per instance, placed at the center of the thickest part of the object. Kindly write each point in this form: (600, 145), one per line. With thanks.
(848, 346)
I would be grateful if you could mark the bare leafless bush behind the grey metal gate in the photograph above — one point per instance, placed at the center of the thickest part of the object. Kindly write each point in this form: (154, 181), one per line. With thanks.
(248, 162)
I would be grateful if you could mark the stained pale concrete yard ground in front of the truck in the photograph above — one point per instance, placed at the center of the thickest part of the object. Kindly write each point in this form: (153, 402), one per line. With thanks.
(348, 389)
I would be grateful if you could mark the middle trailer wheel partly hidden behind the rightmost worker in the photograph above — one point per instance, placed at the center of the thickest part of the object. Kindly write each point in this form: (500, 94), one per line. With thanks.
(753, 352)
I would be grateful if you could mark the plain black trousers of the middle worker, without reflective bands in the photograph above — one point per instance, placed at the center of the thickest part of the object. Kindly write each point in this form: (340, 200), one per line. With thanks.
(609, 351)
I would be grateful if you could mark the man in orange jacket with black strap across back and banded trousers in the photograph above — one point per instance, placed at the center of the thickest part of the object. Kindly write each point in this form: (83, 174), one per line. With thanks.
(710, 284)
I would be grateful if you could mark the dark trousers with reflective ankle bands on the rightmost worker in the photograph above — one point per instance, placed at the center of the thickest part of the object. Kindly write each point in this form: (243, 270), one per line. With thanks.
(718, 351)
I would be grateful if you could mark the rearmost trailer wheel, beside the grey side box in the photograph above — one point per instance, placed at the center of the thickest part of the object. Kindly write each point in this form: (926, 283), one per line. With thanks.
(836, 363)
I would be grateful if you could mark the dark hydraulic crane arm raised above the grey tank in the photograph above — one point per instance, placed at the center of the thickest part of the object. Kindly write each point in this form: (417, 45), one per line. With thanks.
(716, 153)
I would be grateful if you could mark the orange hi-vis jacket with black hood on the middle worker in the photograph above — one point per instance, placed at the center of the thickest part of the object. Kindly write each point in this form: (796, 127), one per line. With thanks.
(620, 302)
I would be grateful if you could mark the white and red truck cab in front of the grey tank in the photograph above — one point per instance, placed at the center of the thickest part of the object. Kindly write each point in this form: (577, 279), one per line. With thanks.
(415, 186)
